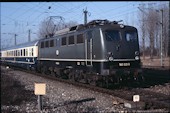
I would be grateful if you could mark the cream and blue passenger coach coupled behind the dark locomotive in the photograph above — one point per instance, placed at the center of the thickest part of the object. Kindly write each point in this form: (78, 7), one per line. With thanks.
(23, 55)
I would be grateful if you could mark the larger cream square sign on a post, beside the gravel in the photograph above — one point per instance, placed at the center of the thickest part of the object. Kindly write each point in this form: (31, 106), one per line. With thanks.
(40, 89)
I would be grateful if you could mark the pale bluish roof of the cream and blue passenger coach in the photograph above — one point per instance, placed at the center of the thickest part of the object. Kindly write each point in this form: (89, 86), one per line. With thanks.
(27, 44)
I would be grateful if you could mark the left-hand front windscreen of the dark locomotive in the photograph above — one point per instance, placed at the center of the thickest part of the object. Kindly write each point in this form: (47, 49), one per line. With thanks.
(112, 35)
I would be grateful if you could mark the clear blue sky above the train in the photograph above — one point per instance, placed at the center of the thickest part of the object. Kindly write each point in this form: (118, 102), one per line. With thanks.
(19, 17)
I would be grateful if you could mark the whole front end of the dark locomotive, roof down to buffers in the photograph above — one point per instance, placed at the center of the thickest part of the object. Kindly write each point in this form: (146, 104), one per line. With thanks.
(121, 52)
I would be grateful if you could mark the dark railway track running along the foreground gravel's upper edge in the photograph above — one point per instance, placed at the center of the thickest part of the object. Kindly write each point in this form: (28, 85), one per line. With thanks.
(151, 99)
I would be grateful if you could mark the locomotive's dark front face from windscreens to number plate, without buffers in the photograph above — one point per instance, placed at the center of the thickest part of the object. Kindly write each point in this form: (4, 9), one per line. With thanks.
(122, 46)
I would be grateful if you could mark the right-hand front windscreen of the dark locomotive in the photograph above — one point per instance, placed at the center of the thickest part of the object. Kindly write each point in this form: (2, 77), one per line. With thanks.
(131, 36)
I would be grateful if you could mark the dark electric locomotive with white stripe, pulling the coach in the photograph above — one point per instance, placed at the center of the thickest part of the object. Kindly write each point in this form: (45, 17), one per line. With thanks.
(101, 50)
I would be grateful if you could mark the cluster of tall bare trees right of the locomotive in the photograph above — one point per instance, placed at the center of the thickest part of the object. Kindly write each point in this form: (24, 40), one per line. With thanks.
(150, 24)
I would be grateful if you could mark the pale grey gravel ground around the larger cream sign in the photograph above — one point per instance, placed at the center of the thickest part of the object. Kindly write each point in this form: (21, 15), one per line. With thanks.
(63, 98)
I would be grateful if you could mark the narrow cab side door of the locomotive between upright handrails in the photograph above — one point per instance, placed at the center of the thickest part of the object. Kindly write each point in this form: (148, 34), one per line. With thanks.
(88, 47)
